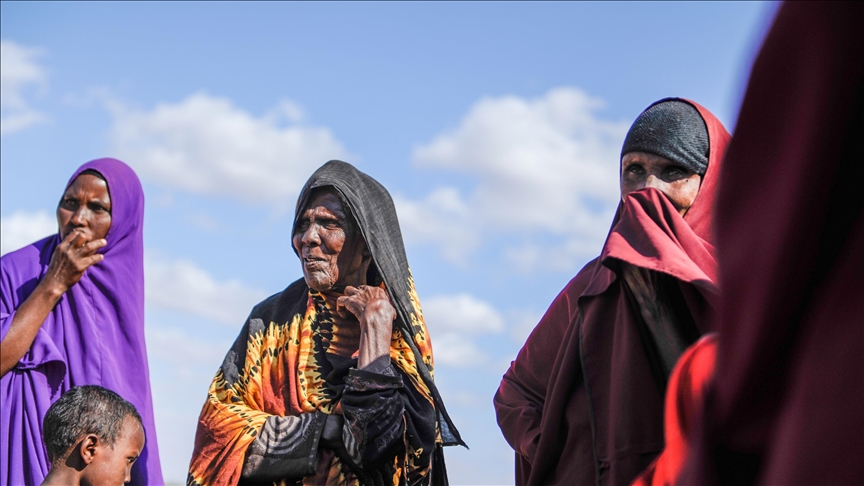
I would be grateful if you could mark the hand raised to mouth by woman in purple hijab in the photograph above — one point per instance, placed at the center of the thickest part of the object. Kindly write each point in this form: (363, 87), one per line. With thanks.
(72, 257)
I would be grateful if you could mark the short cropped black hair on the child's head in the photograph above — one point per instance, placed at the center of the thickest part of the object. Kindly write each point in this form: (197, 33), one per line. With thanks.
(83, 410)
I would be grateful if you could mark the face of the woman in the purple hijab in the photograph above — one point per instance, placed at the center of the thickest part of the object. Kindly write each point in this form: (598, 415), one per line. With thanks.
(85, 207)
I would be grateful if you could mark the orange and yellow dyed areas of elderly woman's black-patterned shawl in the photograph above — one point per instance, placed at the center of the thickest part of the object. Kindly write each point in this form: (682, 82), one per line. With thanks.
(283, 373)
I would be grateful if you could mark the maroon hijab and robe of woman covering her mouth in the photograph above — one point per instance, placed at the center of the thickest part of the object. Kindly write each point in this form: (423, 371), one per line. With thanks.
(580, 404)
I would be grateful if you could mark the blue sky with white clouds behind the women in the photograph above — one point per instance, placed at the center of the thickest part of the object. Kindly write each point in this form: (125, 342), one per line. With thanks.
(496, 127)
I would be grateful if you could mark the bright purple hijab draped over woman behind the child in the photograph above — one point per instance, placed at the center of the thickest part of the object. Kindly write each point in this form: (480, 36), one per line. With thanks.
(93, 336)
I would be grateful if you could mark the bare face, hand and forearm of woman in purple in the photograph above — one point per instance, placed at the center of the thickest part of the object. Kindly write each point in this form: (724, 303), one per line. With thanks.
(84, 218)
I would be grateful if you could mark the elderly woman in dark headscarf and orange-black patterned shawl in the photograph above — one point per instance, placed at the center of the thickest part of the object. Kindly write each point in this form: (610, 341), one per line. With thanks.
(330, 380)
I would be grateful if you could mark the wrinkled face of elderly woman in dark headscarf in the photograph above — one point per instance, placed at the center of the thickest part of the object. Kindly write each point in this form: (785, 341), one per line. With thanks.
(331, 254)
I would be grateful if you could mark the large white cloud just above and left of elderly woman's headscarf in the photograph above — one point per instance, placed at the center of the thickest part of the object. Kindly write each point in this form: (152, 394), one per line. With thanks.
(207, 145)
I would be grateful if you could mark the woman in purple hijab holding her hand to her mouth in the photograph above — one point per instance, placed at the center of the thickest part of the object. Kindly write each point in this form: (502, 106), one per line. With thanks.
(72, 313)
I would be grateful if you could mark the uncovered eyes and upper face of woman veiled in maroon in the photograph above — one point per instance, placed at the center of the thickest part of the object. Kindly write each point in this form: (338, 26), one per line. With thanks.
(641, 169)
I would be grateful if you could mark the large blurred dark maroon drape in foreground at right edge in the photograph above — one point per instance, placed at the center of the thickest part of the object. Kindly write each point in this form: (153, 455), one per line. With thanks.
(787, 403)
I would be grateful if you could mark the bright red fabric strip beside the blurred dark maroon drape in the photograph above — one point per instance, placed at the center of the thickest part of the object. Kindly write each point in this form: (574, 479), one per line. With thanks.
(684, 396)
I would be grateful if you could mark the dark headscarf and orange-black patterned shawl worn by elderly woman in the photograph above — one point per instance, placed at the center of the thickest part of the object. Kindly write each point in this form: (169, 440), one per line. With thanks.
(278, 364)
